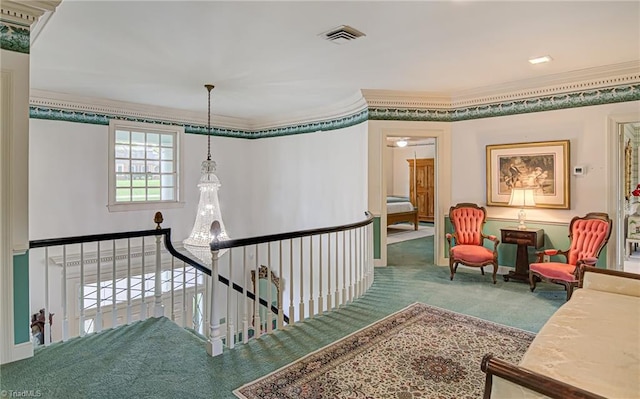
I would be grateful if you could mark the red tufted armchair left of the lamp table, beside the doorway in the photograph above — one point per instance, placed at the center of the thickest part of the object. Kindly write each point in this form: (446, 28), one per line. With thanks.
(465, 244)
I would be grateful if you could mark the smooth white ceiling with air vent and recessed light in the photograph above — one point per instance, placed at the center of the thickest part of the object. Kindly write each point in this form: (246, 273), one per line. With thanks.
(268, 62)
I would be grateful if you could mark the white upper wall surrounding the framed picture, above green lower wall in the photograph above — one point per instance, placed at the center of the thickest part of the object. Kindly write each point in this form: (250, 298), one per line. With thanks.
(586, 127)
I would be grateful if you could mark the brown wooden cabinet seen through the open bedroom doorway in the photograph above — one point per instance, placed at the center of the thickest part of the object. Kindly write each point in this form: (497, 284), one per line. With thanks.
(421, 187)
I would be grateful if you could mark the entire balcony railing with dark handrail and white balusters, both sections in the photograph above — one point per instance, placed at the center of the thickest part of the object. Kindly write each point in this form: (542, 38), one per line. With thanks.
(238, 290)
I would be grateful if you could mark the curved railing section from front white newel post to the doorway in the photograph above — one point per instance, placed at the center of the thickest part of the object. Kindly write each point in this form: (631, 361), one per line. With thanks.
(309, 272)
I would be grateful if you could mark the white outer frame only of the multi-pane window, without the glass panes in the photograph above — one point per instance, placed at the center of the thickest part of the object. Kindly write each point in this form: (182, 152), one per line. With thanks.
(114, 206)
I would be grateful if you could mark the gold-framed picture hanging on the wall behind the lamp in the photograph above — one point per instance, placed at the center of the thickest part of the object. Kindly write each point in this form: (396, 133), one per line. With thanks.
(542, 166)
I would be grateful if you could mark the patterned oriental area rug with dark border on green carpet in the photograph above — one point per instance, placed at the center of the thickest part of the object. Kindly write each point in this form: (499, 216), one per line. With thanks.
(418, 352)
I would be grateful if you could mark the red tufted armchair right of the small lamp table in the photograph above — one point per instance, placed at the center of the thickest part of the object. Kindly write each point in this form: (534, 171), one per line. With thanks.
(587, 236)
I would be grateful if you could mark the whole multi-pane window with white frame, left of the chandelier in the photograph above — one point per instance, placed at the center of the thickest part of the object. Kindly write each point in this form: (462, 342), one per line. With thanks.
(144, 166)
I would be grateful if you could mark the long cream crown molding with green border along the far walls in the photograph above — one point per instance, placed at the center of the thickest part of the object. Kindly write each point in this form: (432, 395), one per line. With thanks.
(595, 86)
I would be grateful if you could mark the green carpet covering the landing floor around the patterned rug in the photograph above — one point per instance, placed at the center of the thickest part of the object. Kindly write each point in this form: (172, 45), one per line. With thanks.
(157, 359)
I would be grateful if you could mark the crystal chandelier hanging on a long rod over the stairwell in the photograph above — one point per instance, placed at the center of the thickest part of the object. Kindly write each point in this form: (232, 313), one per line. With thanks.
(208, 207)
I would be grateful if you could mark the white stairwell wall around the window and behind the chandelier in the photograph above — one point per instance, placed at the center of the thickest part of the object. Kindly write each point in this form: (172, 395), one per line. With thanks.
(268, 186)
